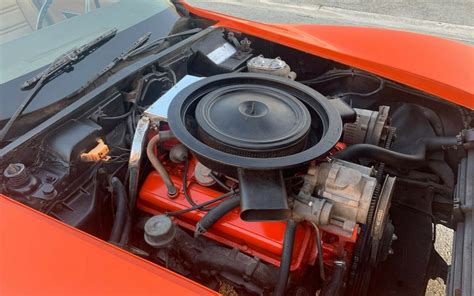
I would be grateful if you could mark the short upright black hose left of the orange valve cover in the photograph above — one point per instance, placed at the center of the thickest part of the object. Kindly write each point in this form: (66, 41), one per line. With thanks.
(121, 212)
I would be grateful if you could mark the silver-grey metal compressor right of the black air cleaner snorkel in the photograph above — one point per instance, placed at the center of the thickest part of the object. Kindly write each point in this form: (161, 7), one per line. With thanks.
(337, 193)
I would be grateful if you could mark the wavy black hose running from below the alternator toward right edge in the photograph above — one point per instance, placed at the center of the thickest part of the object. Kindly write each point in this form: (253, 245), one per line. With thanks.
(397, 159)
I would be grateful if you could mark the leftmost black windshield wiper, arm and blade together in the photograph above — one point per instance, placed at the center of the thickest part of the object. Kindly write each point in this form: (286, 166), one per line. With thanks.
(56, 68)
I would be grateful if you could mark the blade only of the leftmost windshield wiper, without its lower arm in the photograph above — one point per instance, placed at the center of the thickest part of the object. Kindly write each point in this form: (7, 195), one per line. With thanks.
(66, 60)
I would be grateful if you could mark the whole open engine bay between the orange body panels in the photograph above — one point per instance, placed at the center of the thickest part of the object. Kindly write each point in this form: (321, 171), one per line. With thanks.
(252, 167)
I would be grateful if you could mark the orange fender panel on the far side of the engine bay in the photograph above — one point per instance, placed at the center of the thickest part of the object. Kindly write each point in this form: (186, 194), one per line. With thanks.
(438, 66)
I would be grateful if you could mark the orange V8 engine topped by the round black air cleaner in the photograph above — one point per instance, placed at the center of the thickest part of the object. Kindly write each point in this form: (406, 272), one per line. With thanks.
(251, 182)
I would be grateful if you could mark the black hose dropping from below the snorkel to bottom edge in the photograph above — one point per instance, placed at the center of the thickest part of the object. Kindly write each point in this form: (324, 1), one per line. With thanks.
(285, 263)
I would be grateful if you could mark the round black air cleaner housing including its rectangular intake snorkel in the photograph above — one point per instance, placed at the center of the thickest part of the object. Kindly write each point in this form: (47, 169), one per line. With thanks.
(252, 126)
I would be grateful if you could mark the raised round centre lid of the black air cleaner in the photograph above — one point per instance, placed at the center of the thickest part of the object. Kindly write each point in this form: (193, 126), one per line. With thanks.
(253, 117)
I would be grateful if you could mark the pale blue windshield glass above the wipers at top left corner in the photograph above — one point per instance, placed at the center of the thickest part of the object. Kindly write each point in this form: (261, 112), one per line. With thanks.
(34, 32)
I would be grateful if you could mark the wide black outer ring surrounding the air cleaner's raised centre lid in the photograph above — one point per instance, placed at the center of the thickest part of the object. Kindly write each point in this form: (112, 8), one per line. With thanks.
(325, 130)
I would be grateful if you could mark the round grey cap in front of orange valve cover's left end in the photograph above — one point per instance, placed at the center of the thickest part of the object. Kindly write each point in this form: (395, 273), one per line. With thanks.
(159, 231)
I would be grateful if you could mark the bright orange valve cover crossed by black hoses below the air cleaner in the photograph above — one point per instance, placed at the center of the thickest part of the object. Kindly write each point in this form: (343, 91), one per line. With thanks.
(261, 239)
